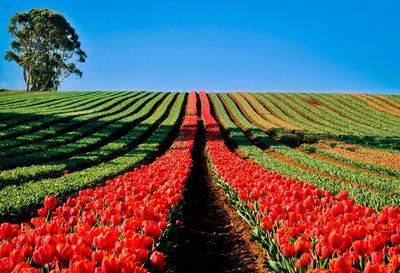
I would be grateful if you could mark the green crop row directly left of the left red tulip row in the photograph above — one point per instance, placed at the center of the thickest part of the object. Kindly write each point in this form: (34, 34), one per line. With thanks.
(17, 198)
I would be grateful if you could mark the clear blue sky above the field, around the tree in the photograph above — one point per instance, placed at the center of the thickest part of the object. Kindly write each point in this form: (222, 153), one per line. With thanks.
(226, 45)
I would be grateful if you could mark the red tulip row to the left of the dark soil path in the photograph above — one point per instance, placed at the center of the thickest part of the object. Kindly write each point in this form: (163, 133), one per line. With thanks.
(111, 229)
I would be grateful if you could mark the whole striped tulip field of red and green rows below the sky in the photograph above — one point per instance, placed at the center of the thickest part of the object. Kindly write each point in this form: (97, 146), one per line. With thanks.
(99, 182)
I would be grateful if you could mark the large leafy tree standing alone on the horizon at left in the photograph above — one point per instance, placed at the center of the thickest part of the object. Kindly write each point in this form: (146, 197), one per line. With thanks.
(45, 46)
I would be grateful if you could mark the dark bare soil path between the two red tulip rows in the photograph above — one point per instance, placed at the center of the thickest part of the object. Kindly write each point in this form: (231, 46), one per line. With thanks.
(213, 237)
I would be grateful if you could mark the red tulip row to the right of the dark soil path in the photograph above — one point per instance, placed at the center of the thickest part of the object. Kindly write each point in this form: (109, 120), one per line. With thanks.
(305, 228)
